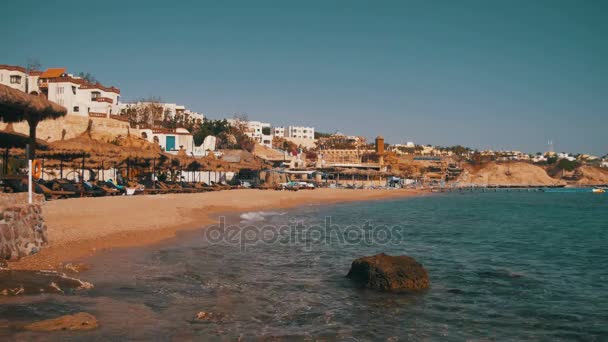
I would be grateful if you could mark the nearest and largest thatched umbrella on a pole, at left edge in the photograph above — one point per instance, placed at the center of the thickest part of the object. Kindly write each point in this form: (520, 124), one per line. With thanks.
(16, 106)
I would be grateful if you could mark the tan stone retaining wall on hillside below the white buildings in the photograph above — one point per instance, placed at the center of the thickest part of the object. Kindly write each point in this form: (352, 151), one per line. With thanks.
(50, 130)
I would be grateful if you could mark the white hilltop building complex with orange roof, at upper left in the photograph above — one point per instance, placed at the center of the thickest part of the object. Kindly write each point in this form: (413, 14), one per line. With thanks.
(77, 95)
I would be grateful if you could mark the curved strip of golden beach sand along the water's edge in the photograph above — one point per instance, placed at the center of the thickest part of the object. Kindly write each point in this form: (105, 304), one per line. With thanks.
(79, 227)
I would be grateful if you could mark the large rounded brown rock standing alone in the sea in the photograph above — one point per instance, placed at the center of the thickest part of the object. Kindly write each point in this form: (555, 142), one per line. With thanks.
(385, 272)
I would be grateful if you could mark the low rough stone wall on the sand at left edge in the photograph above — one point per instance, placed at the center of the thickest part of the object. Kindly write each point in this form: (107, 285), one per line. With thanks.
(22, 227)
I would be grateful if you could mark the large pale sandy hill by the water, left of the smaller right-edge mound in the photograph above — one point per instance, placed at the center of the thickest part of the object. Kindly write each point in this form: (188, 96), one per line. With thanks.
(511, 173)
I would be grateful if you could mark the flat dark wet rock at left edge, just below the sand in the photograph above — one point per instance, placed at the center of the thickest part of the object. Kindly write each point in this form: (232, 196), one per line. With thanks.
(17, 282)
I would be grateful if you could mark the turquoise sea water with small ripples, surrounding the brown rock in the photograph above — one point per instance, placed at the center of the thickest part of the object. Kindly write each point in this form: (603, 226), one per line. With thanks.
(503, 266)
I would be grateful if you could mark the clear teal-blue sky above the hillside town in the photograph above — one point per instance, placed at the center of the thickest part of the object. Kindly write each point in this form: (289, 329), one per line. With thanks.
(485, 74)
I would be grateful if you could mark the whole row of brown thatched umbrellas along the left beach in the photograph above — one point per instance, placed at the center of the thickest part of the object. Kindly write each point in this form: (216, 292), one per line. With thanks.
(17, 106)
